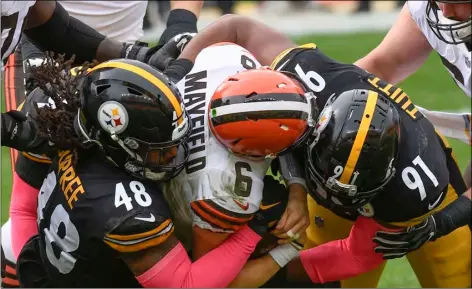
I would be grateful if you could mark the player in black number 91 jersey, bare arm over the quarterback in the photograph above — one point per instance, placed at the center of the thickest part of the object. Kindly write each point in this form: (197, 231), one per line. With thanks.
(411, 182)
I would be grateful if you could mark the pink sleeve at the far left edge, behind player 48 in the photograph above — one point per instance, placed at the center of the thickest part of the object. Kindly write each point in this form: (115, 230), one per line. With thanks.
(24, 200)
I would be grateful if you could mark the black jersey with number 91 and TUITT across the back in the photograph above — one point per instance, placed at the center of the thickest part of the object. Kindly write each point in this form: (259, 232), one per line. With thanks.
(422, 168)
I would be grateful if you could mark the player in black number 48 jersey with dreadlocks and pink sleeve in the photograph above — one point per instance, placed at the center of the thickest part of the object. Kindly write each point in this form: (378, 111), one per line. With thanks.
(103, 221)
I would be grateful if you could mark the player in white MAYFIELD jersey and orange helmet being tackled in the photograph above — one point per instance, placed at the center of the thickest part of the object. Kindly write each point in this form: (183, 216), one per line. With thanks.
(240, 124)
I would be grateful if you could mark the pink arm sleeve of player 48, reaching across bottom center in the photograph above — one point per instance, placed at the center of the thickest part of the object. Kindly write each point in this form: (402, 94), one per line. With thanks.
(214, 270)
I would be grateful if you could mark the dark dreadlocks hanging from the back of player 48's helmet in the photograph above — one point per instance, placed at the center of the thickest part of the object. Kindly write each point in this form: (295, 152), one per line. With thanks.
(55, 78)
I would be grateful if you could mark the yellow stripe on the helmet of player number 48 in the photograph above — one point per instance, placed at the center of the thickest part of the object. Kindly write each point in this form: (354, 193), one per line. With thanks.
(149, 77)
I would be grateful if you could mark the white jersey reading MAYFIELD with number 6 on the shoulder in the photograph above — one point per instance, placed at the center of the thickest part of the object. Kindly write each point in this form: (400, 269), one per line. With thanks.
(213, 177)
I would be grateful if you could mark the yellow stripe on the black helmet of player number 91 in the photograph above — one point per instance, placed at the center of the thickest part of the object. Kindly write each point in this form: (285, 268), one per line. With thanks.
(360, 137)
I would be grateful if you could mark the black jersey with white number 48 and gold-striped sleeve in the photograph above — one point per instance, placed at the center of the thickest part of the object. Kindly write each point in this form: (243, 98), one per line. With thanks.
(92, 212)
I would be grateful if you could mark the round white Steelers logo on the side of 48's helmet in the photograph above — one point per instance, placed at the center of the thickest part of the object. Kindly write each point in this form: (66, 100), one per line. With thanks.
(113, 117)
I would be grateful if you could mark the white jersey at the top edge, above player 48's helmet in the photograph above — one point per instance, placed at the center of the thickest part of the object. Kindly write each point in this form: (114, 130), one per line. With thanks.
(119, 20)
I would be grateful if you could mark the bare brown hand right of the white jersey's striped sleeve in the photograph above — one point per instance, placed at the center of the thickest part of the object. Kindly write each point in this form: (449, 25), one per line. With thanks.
(295, 219)
